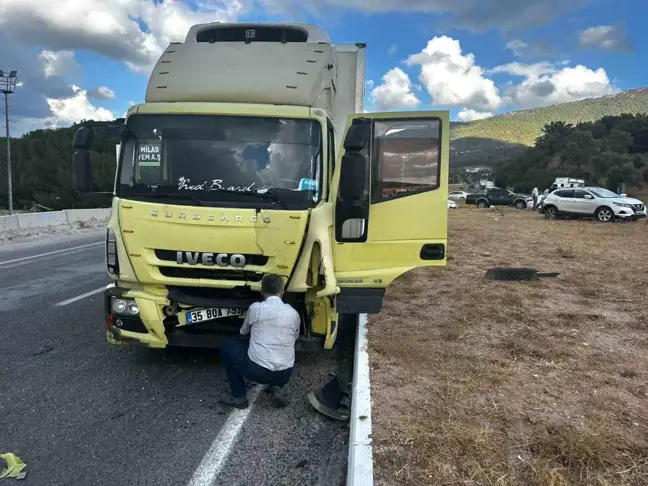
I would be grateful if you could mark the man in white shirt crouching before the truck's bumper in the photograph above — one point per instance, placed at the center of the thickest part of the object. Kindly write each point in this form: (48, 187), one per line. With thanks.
(270, 357)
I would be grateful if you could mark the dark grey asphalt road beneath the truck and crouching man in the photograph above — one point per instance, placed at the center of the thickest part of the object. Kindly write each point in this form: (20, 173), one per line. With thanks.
(80, 412)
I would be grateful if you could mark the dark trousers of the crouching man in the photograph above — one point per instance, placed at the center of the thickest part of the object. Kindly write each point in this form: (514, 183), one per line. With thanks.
(238, 365)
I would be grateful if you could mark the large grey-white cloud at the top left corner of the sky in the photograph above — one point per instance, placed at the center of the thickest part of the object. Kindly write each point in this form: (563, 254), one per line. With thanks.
(113, 29)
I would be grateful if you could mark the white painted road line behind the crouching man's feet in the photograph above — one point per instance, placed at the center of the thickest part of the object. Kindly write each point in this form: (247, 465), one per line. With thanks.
(214, 460)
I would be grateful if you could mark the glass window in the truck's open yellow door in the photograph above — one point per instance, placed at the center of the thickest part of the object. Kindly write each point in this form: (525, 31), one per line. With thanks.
(406, 158)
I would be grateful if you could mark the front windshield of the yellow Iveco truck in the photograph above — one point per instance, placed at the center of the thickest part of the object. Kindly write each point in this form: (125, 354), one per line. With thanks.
(216, 158)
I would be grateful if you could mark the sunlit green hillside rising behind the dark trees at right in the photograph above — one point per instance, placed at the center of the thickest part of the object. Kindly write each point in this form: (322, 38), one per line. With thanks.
(494, 139)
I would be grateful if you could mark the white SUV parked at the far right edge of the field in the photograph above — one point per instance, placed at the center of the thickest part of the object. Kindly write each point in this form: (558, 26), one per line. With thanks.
(596, 202)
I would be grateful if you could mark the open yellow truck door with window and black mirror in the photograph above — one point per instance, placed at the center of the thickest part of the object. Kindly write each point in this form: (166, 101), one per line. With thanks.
(391, 193)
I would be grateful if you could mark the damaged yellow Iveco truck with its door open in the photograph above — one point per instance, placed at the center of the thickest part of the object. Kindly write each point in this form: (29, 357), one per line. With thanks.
(251, 156)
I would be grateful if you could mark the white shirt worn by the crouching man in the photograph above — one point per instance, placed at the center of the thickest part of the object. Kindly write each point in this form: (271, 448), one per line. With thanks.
(274, 328)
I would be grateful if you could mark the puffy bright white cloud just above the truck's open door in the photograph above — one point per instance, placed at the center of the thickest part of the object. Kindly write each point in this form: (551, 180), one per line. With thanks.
(452, 78)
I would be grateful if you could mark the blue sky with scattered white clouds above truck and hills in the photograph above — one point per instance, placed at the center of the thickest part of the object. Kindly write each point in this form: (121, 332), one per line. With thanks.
(90, 59)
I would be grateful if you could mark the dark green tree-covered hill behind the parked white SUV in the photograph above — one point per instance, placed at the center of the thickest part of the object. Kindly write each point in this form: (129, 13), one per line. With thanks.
(609, 152)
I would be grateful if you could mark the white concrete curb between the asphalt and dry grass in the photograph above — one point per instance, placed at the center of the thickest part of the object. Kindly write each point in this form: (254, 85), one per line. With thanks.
(360, 468)
